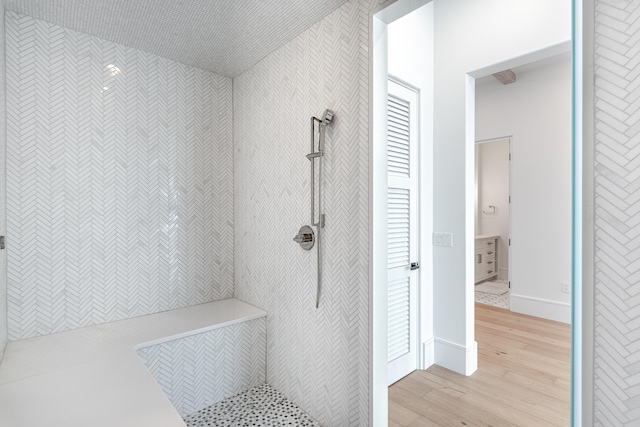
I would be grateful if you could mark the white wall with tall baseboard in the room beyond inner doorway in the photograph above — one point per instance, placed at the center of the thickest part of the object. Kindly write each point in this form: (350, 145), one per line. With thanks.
(536, 112)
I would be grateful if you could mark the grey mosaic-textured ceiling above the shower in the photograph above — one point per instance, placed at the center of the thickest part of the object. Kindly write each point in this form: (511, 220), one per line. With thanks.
(223, 36)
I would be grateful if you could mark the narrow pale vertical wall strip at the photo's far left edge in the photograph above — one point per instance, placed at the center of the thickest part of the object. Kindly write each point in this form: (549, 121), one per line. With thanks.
(3, 224)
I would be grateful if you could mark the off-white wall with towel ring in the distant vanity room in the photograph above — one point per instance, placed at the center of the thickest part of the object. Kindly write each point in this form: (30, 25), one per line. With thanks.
(493, 190)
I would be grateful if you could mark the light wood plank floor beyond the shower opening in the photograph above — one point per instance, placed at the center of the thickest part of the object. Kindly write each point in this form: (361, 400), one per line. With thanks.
(523, 379)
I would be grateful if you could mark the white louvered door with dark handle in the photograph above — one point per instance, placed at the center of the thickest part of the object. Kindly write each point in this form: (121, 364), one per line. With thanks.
(402, 230)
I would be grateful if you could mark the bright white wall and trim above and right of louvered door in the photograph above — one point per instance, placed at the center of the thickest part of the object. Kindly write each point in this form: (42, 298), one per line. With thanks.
(410, 52)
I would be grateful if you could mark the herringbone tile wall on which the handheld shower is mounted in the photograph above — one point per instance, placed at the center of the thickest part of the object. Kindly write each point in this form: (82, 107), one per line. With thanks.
(317, 357)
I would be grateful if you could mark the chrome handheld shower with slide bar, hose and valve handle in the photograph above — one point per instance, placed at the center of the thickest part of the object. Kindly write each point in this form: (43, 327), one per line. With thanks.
(306, 236)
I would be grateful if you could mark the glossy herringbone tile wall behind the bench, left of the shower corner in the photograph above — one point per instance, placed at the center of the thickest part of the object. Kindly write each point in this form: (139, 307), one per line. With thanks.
(119, 181)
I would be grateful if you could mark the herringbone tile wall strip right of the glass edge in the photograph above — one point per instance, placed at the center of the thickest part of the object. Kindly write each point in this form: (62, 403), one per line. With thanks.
(617, 190)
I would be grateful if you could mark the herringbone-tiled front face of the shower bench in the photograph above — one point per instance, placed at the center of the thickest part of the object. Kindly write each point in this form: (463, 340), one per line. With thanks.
(200, 370)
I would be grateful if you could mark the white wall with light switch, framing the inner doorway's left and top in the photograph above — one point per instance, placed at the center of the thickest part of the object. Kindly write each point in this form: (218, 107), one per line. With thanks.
(471, 36)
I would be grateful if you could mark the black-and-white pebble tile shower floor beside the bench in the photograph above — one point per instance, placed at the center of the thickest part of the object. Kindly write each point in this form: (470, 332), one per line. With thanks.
(260, 406)
